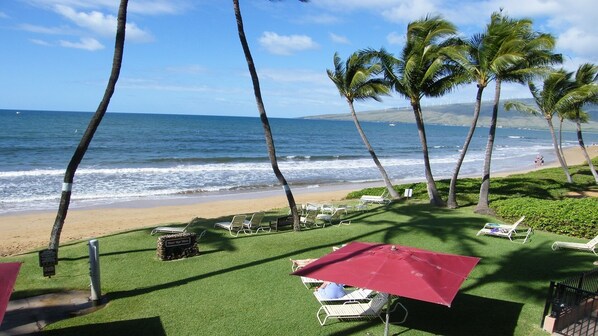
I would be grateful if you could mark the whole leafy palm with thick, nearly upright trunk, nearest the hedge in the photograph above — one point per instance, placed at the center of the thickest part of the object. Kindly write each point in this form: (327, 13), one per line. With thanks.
(531, 52)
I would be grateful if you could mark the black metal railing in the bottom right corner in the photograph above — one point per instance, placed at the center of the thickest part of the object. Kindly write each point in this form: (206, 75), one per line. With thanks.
(574, 304)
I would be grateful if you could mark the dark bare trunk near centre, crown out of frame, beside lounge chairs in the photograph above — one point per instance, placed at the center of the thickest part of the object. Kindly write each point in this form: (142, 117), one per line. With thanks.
(264, 118)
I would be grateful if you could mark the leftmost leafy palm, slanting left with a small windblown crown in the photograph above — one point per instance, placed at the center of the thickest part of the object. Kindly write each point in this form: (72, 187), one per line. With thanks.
(354, 81)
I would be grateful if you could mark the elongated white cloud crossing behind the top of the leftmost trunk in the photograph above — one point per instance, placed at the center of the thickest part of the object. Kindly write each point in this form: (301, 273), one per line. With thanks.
(99, 23)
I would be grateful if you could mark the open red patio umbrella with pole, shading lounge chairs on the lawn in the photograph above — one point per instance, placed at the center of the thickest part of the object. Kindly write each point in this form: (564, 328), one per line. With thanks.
(398, 270)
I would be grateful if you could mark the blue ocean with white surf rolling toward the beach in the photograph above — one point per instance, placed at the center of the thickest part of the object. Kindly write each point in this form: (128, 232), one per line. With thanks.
(158, 156)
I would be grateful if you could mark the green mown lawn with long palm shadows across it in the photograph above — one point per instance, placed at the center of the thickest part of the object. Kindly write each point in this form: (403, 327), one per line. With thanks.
(242, 286)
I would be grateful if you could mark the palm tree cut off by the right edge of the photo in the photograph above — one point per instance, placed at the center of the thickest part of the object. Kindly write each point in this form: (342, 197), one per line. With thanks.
(586, 77)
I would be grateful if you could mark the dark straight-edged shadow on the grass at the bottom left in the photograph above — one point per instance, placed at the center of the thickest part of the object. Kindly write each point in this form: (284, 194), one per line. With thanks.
(144, 326)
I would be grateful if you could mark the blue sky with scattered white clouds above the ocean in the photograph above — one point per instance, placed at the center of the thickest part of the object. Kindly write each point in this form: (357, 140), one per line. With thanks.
(184, 56)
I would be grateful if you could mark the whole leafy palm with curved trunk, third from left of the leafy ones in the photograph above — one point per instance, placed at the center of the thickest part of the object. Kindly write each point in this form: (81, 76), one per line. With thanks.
(484, 55)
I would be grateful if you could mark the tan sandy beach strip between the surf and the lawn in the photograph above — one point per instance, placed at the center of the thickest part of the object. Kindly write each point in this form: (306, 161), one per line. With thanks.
(31, 231)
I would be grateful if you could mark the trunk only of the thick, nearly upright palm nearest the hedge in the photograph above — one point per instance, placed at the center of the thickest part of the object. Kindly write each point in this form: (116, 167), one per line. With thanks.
(483, 201)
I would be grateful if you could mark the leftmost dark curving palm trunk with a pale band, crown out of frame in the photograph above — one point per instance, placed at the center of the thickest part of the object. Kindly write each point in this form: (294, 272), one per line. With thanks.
(95, 121)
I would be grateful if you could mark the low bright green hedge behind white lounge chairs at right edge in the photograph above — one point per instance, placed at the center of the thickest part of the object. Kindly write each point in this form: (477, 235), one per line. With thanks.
(571, 216)
